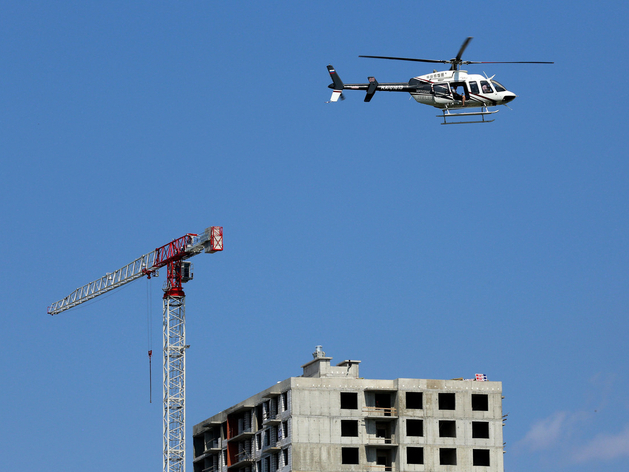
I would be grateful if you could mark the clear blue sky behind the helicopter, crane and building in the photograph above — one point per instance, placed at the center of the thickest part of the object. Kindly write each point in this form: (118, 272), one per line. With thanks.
(423, 250)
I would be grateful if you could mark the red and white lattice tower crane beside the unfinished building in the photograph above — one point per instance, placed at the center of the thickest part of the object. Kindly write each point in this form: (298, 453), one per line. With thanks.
(172, 255)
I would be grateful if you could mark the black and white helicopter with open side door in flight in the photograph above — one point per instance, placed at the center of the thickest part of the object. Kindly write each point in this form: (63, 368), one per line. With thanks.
(440, 89)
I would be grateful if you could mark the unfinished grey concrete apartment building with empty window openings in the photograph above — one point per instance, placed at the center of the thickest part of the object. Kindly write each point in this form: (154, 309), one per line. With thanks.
(331, 420)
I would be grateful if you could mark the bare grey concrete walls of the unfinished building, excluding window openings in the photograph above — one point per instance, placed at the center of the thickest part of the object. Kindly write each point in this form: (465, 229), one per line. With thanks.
(313, 441)
